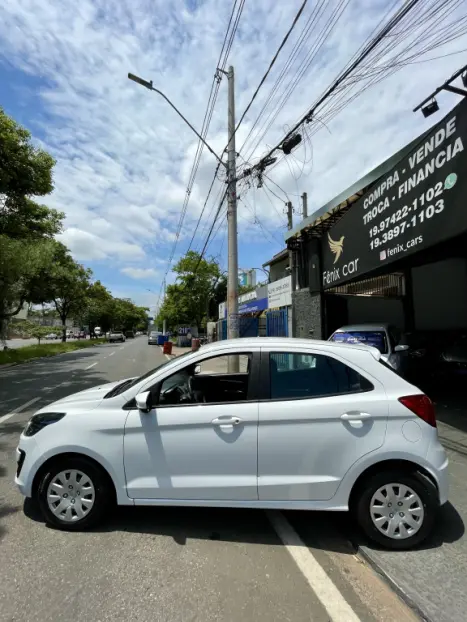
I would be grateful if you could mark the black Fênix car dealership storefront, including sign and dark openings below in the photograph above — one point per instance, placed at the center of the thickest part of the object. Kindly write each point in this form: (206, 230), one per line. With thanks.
(396, 250)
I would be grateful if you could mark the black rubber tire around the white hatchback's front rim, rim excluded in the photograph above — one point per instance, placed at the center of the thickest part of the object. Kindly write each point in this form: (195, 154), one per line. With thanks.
(104, 494)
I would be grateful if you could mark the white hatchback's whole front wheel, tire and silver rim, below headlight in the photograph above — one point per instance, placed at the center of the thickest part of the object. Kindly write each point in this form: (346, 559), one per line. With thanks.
(74, 494)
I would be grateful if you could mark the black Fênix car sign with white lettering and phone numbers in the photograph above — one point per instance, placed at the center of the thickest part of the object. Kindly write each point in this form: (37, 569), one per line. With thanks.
(421, 202)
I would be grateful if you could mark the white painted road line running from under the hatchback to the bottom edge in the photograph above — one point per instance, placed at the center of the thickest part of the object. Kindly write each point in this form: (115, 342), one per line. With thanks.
(332, 600)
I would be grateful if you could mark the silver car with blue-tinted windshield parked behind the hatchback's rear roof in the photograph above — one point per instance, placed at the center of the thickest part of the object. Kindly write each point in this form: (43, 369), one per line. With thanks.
(384, 337)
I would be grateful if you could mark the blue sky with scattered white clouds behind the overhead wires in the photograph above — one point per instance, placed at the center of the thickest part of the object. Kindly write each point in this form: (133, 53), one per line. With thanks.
(124, 157)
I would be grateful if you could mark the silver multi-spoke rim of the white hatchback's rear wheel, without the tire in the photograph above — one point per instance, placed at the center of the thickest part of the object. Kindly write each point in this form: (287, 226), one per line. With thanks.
(397, 511)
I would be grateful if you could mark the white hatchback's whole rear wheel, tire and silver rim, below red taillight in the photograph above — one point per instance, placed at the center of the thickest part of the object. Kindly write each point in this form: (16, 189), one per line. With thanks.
(397, 509)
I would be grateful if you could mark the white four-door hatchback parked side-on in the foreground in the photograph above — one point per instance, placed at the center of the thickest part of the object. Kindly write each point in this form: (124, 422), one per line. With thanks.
(253, 423)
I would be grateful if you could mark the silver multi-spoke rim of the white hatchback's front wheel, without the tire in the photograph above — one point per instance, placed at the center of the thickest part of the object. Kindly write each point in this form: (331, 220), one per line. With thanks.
(71, 495)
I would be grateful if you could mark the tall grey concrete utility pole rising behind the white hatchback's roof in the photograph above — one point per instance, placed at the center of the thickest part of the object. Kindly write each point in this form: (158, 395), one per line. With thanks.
(232, 279)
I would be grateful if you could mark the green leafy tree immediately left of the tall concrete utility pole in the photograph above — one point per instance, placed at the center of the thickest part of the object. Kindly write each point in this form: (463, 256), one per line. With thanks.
(188, 300)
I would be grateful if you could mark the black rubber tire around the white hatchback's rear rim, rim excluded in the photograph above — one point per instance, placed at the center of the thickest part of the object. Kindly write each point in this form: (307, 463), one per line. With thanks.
(415, 480)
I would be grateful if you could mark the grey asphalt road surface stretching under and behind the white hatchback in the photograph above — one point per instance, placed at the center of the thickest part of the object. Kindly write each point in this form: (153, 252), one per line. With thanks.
(168, 563)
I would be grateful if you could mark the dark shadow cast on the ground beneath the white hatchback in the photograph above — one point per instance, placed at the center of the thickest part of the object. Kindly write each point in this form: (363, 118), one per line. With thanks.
(327, 531)
